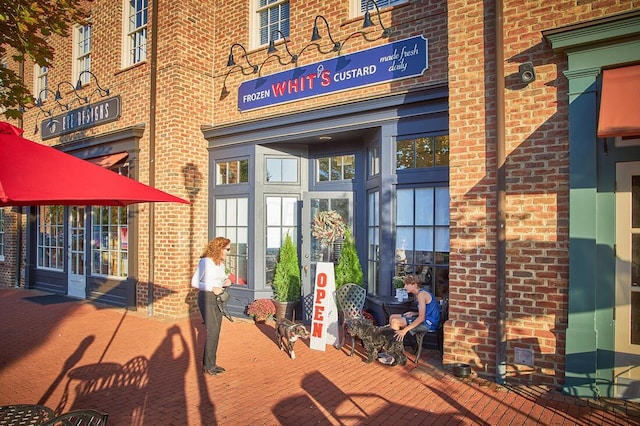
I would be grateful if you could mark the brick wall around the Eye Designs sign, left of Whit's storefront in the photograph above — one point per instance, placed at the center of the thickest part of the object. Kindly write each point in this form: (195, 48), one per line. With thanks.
(184, 104)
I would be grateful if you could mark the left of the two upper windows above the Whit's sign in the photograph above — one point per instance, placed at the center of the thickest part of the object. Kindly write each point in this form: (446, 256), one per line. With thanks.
(271, 15)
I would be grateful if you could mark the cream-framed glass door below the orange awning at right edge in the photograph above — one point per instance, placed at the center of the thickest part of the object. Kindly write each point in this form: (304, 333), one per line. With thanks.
(627, 309)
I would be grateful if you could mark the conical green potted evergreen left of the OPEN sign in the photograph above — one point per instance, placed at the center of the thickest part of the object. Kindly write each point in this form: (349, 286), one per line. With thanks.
(286, 280)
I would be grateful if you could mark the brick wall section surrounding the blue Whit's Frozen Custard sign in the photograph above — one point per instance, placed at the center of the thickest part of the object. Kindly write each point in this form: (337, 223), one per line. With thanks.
(427, 18)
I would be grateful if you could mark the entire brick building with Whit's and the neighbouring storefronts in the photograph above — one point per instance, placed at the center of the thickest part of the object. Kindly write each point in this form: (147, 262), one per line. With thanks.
(459, 138)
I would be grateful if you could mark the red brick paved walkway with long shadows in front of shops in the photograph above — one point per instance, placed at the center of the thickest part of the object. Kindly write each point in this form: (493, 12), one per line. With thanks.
(146, 371)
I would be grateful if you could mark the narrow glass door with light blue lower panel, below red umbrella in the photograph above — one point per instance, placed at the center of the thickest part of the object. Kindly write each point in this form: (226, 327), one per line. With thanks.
(77, 285)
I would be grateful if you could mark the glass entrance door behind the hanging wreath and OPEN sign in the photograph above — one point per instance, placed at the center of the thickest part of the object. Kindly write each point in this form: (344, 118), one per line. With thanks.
(313, 251)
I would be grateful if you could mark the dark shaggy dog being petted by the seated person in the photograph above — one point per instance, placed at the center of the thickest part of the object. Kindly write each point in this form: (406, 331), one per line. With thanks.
(377, 339)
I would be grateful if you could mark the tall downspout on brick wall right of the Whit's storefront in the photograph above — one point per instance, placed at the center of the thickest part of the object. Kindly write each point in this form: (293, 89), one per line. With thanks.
(501, 365)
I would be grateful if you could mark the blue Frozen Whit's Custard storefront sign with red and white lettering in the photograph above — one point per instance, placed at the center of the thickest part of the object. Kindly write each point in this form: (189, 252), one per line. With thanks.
(393, 61)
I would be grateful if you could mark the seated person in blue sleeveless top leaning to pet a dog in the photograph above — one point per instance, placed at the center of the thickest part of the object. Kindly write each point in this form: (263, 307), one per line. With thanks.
(428, 310)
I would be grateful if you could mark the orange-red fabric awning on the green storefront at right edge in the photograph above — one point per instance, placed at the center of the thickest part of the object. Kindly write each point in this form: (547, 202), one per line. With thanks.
(620, 102)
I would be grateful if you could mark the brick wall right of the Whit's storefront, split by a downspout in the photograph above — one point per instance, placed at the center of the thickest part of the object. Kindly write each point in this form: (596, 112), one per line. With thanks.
(536, 130)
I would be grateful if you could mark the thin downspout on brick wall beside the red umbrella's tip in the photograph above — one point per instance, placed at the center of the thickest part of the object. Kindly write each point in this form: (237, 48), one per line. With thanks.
(152, 150)
